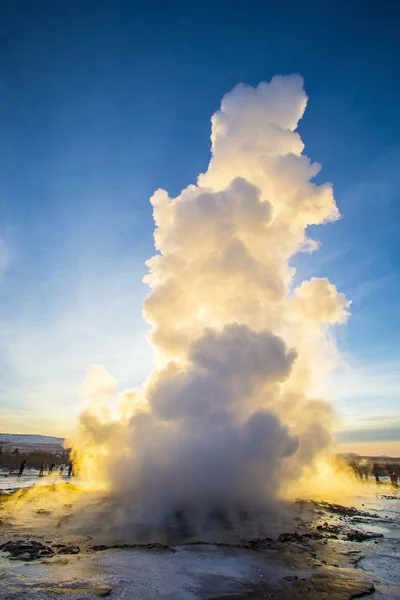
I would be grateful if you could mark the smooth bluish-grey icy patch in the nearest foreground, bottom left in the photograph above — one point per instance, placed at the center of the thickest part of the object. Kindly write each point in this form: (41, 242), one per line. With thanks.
(184, 574)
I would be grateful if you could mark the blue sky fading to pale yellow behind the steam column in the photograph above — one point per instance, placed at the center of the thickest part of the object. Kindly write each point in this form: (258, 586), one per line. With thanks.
(101, 103)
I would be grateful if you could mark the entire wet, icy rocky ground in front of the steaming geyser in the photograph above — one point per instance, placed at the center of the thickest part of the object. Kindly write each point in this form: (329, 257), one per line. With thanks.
(318, 551)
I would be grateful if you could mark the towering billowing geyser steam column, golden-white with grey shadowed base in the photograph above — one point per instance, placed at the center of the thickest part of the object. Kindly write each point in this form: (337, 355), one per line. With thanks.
(231, 413)
